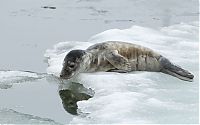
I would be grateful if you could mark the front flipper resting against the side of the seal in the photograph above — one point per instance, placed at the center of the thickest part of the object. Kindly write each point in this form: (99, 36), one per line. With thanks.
(118, 61)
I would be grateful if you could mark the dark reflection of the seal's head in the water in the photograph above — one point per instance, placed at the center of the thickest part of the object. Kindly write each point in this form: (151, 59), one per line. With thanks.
(71, 93)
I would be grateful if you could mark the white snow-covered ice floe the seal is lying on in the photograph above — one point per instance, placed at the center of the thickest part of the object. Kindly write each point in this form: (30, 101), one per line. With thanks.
(139, 97)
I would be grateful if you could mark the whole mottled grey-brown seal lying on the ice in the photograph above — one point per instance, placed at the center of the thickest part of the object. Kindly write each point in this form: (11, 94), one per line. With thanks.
(122, 57)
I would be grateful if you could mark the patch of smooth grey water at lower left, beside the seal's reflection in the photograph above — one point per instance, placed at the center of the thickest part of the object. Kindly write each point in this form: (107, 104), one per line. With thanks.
(38, 98)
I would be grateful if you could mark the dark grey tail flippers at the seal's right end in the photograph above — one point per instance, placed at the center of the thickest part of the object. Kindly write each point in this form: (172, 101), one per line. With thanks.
(174, 70)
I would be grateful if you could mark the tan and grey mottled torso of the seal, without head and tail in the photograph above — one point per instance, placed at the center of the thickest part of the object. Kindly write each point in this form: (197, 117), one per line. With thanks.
(123, 56)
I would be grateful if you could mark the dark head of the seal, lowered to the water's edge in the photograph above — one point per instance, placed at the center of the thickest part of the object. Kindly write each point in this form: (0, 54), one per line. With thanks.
(72, 63)
